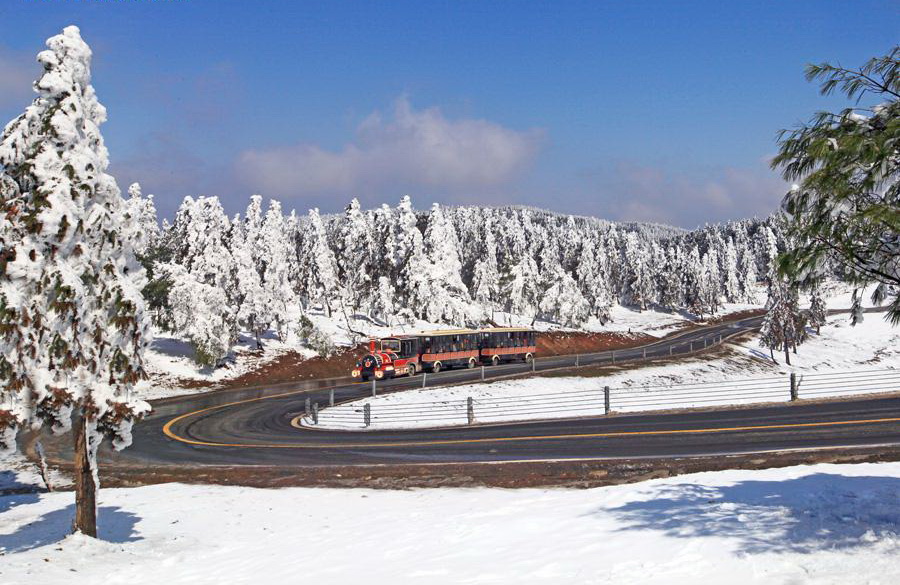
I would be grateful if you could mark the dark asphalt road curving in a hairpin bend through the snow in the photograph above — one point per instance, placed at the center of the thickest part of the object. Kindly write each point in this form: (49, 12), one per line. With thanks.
(252, 426)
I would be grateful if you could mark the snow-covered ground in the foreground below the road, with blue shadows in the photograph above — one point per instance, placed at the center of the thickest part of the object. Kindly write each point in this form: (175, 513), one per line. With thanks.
(807, 524)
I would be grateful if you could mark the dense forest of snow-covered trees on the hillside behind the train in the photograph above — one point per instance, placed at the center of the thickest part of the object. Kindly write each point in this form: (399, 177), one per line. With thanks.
(213, 276)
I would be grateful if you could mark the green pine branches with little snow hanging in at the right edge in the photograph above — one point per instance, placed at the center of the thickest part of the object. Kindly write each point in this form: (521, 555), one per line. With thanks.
(845, 208)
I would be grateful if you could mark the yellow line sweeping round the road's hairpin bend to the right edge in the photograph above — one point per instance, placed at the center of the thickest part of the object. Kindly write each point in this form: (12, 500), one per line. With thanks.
(167, 429)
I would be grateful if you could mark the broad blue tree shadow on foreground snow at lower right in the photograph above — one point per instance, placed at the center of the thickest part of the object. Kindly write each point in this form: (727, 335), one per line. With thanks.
(803, 515)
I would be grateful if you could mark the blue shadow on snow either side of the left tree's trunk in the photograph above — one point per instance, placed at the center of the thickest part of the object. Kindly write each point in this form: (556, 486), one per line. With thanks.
(113, 525)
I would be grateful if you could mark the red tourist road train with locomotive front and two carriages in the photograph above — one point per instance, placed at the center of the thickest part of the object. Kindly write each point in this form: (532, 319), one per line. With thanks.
(432, 351)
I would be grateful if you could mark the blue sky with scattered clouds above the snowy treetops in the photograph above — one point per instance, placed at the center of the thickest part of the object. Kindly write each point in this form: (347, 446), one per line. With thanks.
(659, 111)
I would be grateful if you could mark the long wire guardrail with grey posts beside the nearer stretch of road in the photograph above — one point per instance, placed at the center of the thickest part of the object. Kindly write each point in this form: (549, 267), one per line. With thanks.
(605, 400)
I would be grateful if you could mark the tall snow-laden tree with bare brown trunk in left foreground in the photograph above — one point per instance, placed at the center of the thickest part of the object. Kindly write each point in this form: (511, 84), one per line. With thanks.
(71, 312)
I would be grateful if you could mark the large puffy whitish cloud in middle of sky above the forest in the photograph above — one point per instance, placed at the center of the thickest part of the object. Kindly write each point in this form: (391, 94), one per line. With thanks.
(411, 149)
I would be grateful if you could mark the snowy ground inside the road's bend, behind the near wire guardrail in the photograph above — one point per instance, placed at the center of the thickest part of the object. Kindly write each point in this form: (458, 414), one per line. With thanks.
(848, 360)
